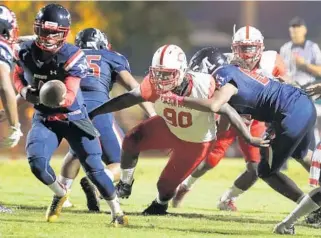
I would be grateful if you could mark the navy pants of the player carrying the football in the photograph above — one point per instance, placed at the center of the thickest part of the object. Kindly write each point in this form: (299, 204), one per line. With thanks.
(44, 138)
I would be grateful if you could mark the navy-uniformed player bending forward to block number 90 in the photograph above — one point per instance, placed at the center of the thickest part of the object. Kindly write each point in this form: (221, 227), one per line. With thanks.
(289, 109)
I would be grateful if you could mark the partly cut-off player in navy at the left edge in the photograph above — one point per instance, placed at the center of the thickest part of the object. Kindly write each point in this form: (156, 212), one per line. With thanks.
(8, 36)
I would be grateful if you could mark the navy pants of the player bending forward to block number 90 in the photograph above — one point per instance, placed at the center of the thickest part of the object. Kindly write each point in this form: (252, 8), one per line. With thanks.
(294, 132)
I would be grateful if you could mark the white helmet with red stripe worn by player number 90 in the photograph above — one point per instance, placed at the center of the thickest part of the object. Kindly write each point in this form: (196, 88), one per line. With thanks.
(169, 66)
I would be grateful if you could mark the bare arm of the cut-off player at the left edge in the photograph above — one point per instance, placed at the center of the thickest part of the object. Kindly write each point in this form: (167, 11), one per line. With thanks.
(8, 95)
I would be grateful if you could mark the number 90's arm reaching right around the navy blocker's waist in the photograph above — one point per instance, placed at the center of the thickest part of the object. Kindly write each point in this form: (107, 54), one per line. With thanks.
(239, 124)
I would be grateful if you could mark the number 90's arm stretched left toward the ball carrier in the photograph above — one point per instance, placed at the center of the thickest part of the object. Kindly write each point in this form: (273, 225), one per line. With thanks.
(125, 100)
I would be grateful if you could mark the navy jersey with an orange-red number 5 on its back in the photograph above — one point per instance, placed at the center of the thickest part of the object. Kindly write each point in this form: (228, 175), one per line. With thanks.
(104, 65)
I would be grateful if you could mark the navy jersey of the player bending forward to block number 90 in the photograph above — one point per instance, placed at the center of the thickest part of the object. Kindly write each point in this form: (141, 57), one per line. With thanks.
(262, 98)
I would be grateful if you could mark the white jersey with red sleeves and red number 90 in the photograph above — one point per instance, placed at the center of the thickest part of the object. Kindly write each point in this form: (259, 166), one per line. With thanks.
(186, 124)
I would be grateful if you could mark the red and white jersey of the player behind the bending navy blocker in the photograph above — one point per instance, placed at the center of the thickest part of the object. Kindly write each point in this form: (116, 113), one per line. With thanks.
(270, 65)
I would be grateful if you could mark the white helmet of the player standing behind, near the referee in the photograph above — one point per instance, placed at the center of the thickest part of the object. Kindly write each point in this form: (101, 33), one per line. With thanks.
(248, 44)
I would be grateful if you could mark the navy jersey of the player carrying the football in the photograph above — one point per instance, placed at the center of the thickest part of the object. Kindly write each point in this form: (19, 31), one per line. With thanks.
(68, 61)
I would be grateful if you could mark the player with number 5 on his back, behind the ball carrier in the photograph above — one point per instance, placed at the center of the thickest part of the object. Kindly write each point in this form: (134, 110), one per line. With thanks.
(105, 68)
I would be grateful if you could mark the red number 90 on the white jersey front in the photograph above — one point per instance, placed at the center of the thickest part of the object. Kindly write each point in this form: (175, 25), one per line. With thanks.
(181, 119)
